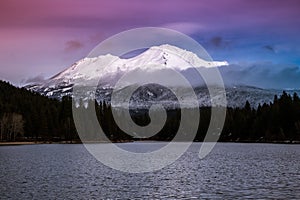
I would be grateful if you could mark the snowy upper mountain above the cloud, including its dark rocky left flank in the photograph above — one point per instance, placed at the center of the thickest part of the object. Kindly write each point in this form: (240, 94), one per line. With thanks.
(109, 68)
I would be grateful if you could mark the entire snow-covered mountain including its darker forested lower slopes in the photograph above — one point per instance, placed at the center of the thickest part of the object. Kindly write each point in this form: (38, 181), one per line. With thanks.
(101, 73)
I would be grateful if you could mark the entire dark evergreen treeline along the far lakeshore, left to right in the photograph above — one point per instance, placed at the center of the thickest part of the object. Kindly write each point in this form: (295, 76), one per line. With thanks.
(28, 116)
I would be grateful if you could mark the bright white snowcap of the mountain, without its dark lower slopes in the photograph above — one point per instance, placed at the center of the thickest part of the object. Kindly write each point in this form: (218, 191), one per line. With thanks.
(158, 57)
